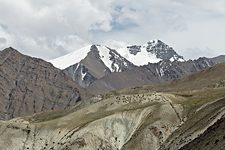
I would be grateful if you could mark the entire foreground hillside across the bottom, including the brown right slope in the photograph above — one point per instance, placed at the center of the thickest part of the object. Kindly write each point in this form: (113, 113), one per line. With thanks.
(139, 119)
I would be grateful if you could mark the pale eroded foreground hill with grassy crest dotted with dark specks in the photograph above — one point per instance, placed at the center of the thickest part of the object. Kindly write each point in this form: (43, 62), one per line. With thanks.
(106, 125)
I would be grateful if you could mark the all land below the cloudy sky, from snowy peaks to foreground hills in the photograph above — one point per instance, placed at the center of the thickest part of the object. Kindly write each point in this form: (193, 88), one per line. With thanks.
(98, 98)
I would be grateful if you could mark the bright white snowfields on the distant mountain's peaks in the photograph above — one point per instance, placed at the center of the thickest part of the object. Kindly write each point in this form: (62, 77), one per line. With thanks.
(142, 57)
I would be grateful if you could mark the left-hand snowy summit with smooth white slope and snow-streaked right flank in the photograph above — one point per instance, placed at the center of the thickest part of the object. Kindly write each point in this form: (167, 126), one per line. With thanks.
(109, 57)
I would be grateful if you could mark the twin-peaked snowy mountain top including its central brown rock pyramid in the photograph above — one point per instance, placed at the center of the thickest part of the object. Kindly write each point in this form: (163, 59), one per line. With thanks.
(101, 61)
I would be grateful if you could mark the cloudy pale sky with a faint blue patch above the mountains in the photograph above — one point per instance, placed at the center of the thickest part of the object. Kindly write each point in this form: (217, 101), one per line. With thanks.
(52, 28)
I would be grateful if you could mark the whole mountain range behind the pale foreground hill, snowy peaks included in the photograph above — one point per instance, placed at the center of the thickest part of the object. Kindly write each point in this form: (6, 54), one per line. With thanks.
(30, 85)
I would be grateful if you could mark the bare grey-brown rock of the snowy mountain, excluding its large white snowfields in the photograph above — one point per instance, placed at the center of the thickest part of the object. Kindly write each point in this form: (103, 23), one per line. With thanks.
(92, 73)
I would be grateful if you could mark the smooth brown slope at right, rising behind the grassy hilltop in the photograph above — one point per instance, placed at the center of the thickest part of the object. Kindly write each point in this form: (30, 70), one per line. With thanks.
(212, 77)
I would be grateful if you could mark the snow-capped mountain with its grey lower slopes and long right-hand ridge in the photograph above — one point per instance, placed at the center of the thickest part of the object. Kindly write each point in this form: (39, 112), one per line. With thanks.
(102, 69)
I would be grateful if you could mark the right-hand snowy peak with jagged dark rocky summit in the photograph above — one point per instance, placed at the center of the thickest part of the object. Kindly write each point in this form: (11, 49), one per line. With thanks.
(152, 52)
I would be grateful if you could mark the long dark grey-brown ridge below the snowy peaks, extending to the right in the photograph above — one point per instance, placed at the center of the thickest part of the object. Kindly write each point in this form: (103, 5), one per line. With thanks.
(150, 74)
